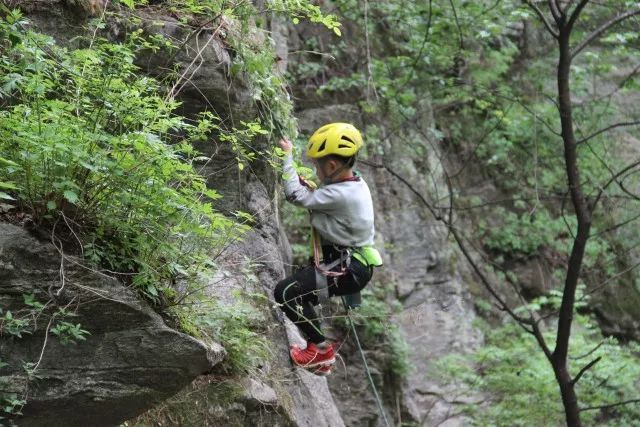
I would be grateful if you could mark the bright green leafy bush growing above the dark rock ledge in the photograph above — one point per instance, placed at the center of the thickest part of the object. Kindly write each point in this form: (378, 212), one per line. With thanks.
(92, 144)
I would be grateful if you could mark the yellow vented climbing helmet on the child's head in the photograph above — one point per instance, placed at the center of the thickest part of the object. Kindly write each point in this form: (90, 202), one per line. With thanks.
(342, 139)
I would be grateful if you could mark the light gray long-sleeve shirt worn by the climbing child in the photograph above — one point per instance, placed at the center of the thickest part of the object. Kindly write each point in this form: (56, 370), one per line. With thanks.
(342, 212)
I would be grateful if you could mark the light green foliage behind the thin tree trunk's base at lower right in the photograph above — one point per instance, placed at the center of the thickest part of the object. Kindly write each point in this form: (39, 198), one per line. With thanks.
(514, 375)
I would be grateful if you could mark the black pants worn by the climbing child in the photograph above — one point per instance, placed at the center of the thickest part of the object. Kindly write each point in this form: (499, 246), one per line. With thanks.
(297, 295)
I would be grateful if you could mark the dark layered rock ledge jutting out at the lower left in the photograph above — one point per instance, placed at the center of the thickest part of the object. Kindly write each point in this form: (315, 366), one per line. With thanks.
(129, 361)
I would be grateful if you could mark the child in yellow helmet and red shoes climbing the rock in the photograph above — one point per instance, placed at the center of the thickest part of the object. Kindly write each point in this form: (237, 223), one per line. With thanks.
(343, 230)
